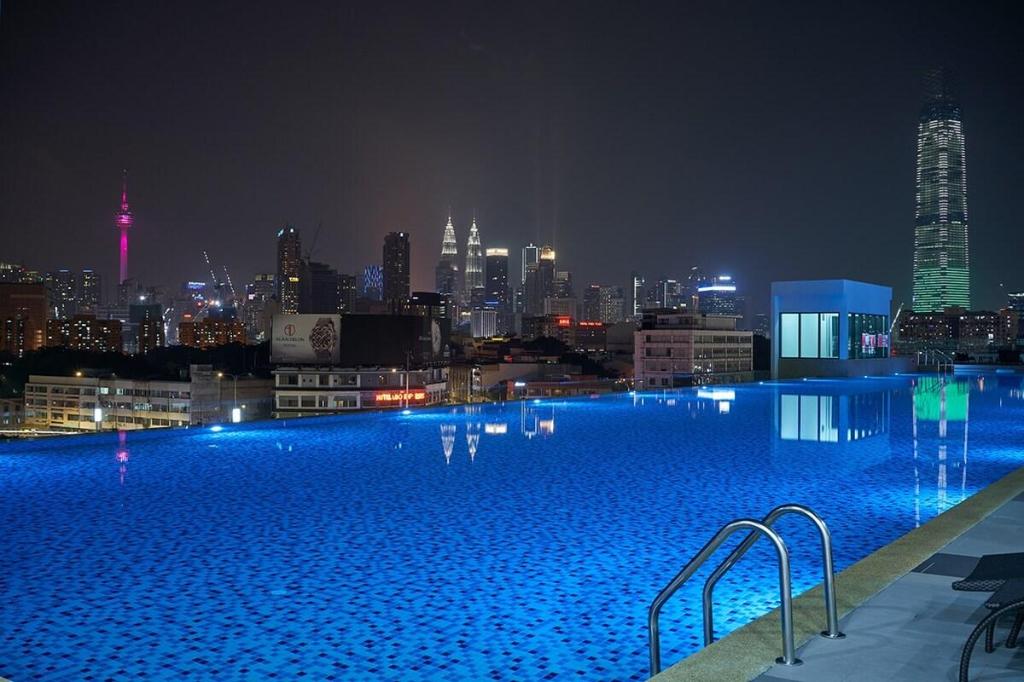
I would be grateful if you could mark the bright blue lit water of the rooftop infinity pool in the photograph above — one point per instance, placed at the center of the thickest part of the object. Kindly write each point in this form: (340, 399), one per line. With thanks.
(523, 541)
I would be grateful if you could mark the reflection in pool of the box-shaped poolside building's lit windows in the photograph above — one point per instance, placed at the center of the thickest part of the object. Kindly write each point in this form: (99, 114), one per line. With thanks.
(826, 418)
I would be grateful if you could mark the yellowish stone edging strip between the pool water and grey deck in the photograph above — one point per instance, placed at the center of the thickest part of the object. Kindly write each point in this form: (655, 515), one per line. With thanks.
(750, 651)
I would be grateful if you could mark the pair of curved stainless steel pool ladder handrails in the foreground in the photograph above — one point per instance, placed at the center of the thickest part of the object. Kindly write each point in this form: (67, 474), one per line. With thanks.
(757, 530)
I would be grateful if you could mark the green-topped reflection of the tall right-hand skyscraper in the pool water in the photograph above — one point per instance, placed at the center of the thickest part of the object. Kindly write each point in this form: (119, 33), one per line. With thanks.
(941, 407)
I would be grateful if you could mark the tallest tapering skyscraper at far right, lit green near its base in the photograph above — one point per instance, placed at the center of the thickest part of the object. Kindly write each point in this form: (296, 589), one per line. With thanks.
(942, 264)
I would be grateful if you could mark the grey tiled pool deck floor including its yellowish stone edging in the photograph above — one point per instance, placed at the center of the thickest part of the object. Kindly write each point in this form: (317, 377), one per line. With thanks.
(902, 618)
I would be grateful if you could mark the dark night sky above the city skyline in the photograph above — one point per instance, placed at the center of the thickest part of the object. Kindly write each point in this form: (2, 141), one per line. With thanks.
(770, 141)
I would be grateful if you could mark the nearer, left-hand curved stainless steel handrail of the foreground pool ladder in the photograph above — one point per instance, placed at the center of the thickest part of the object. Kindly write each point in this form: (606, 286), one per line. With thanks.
(789, 657)
